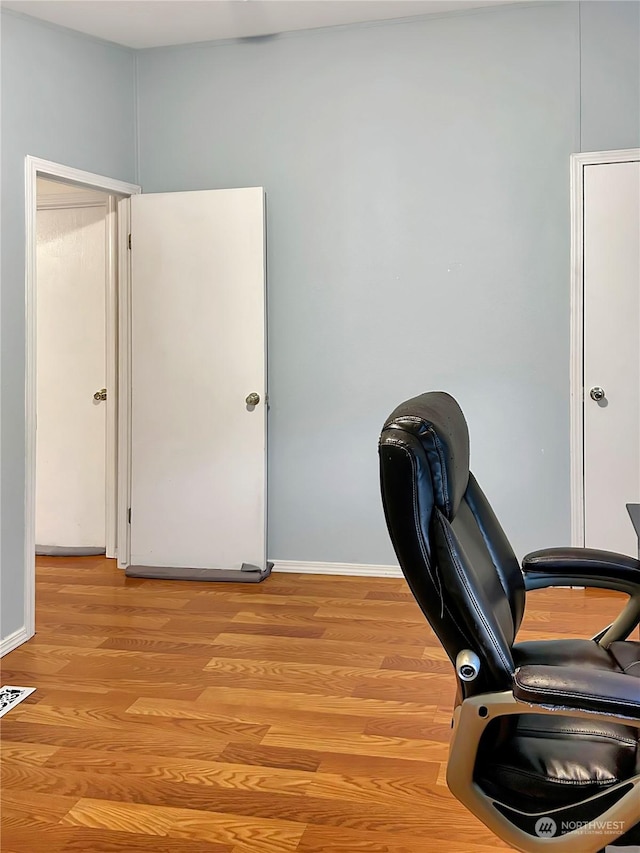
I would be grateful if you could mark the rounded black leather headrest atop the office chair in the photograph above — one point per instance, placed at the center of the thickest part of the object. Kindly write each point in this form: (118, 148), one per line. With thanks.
(437, 421)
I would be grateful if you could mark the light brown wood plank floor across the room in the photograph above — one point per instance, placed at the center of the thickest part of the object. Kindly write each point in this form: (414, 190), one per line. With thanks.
(306, 714)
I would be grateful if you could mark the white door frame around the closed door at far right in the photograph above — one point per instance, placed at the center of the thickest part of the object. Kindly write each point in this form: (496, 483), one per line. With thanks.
(578, 164)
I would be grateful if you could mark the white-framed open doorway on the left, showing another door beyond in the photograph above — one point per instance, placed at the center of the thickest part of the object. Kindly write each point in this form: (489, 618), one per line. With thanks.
(77, 292)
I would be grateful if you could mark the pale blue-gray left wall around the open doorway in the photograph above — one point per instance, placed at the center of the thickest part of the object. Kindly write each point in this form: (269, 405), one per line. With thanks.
(69, 99)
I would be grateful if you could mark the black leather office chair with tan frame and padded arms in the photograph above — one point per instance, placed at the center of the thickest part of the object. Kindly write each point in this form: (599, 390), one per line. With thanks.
(545, 734)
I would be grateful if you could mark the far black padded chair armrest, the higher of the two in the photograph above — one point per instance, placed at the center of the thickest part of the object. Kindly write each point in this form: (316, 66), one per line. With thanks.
(581, 567)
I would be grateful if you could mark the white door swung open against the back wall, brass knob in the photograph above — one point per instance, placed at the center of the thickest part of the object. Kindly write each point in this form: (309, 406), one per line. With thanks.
(198, 451)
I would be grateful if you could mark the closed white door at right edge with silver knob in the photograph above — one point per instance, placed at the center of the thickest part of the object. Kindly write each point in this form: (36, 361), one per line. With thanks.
(611, 353)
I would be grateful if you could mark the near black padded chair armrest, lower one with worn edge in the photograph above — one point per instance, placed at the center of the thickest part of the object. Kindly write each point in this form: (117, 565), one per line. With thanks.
(579, 687)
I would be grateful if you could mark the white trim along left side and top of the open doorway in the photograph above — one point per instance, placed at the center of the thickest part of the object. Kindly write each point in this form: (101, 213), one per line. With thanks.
(34, 166)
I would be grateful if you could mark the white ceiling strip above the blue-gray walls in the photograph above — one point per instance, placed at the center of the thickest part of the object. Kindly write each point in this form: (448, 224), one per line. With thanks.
(156, 23)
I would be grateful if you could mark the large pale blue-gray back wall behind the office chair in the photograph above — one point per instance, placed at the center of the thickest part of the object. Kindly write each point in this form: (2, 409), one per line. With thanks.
(417, 178)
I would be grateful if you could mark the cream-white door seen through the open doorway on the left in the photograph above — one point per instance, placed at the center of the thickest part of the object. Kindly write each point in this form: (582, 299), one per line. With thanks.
(71, 425)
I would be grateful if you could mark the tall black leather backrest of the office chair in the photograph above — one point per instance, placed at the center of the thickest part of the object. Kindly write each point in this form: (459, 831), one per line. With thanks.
(451, 548)
